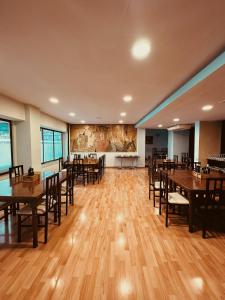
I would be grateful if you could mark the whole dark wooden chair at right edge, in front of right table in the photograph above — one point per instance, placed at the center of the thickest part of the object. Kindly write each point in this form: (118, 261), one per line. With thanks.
(213, 206)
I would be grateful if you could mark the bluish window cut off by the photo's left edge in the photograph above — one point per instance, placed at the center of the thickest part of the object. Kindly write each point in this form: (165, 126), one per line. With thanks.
(5, 146)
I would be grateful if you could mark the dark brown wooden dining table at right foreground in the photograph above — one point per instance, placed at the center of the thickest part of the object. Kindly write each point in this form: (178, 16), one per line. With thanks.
(193, 187)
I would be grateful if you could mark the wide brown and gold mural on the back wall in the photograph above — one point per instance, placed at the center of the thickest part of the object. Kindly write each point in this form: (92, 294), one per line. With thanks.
(103, 138)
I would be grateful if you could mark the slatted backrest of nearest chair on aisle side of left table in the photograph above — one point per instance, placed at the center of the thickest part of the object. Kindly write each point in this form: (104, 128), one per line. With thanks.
(52, 190)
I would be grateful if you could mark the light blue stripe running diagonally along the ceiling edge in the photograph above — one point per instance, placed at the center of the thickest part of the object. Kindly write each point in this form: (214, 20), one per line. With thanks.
(217, 63)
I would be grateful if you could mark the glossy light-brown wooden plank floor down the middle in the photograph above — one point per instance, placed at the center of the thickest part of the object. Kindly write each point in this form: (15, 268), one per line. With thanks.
(113, 245)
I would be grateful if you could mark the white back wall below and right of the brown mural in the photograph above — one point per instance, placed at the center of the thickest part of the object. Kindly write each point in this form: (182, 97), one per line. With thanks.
(112, 161)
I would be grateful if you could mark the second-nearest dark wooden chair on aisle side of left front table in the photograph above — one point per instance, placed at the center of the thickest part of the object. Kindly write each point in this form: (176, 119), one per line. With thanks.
(67, 189)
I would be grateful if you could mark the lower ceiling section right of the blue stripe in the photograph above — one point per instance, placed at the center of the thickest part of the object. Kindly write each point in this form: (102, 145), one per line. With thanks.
(188, 107)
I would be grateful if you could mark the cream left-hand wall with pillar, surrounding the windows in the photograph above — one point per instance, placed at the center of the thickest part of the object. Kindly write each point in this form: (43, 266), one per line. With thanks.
(27, 121)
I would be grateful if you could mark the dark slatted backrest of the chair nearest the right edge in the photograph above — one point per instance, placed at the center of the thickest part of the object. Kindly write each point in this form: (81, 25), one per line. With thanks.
(215, 192)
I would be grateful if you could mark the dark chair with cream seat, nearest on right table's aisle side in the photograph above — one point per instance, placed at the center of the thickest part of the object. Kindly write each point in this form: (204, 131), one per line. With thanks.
(172, 199)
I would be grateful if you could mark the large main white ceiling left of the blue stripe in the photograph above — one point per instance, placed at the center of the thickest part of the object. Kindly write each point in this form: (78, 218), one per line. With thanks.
(79, 52)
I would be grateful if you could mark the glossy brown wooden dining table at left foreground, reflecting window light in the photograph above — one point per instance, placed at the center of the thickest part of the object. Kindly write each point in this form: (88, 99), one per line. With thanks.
(17, 190)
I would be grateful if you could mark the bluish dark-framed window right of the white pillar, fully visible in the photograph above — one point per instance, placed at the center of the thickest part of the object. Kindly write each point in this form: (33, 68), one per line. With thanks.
(51, 145)
